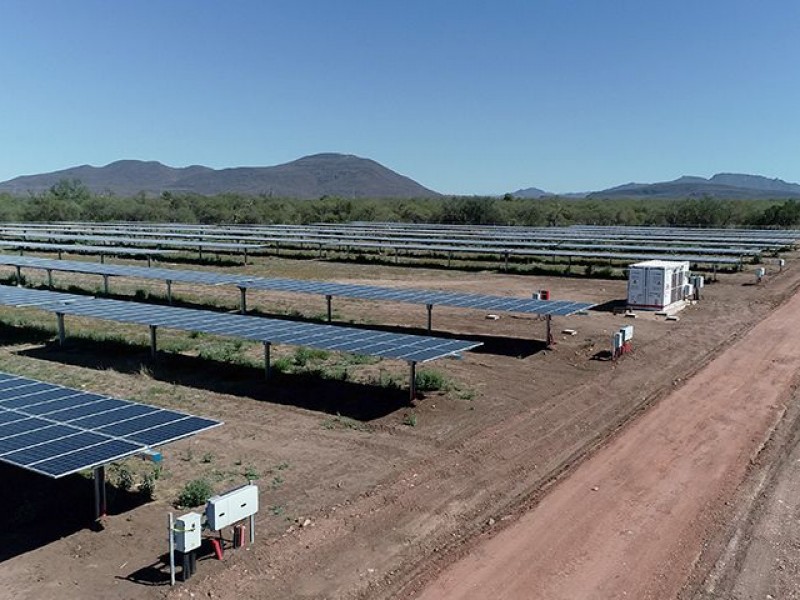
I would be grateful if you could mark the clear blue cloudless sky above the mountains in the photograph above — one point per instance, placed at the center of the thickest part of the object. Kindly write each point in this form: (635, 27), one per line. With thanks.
(465, 97)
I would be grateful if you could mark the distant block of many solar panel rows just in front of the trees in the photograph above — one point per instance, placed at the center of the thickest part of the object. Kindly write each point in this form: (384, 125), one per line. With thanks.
(586, 243)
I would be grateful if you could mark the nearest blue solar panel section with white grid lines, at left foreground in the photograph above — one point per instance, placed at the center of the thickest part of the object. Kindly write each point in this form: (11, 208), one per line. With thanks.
(57, 431)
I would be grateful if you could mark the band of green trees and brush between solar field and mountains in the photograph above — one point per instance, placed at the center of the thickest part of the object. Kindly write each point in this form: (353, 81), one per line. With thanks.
(70, 200)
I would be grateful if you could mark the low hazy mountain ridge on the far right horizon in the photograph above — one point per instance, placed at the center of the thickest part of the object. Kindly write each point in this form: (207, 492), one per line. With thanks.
(721, 185)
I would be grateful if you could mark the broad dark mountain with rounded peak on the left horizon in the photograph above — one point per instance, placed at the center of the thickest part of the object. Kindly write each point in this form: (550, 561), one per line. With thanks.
(329, 174)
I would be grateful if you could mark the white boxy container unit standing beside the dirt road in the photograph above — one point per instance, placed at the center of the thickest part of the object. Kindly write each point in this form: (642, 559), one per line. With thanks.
(656, 284)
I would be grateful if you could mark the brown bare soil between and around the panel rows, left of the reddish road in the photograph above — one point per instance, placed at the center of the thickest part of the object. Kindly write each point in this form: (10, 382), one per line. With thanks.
(356, 502)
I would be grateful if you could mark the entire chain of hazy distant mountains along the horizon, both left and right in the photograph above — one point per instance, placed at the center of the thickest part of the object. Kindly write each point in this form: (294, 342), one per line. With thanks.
(348, 176)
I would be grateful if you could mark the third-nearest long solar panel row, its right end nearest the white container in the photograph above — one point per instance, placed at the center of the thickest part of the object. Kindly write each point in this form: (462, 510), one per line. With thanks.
(365, 292)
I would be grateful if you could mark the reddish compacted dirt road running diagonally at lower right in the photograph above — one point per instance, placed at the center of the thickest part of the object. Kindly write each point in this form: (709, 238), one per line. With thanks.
(631, 521)
